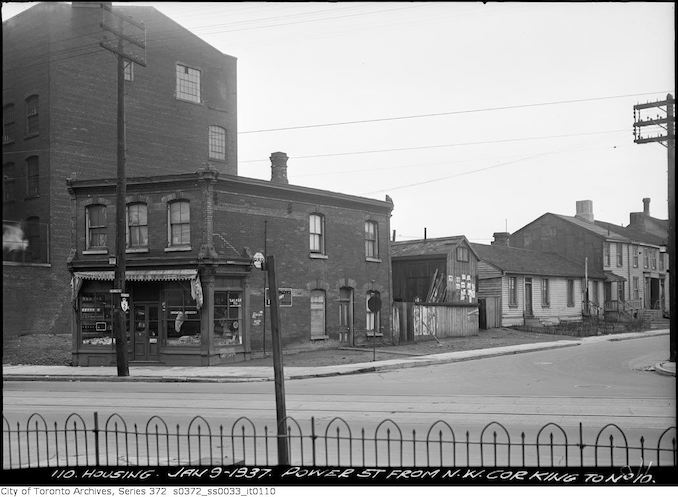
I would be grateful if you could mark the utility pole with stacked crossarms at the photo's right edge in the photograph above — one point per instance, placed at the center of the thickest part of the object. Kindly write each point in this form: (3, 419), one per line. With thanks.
(668, 140)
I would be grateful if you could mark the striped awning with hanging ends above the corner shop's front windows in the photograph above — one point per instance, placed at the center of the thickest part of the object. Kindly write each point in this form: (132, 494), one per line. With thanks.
(141, 275)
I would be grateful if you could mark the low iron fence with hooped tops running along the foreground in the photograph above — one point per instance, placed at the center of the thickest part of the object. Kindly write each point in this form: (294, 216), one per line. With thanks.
(115, 442)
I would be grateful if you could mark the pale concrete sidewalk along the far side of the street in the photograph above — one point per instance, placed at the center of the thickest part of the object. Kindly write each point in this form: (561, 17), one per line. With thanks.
(229, 374)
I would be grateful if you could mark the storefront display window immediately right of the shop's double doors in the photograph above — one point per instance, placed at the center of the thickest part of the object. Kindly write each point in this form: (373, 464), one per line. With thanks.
(183, 317)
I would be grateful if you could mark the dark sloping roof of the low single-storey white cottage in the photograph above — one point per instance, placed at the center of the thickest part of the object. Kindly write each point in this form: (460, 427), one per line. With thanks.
(524, 261)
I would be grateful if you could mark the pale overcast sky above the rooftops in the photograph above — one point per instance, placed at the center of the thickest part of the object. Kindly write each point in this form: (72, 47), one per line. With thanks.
(474, 118)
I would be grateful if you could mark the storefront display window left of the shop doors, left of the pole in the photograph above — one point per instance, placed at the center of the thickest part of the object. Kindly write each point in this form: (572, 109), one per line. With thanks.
(96, 323)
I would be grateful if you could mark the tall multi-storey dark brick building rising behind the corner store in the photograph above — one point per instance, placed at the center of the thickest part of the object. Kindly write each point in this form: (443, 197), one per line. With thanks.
(59, 121)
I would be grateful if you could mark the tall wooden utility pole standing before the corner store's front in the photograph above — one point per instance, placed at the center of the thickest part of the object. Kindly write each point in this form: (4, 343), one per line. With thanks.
(129, 37)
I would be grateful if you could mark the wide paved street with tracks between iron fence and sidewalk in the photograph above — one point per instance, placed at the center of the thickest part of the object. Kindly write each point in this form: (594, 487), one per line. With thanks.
(595, 384)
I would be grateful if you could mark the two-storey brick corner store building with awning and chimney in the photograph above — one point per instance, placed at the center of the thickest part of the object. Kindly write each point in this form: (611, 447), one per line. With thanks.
(194, 296)
